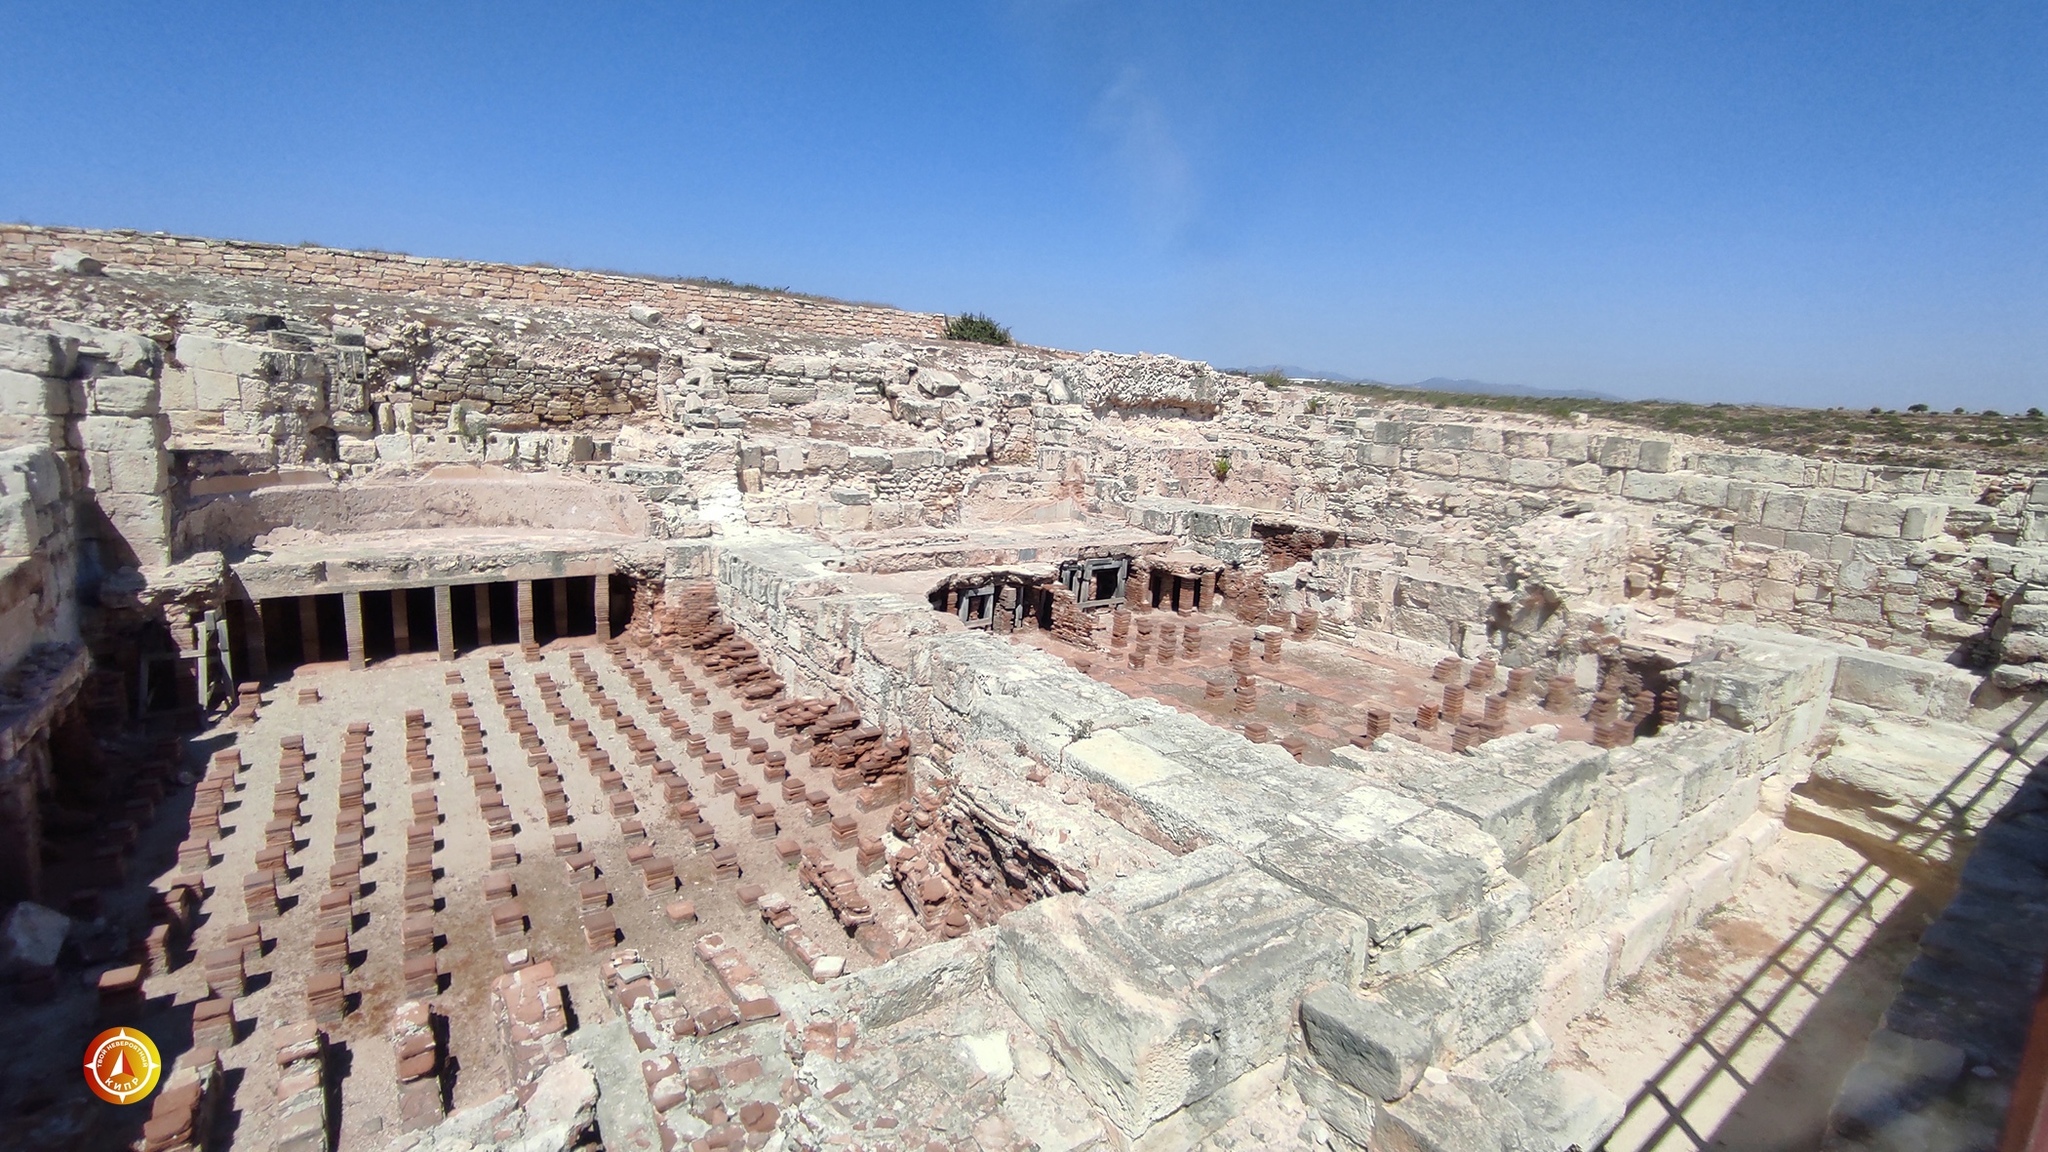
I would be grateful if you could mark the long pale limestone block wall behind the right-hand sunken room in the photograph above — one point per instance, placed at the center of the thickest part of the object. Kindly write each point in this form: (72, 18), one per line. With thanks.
(1908, 559)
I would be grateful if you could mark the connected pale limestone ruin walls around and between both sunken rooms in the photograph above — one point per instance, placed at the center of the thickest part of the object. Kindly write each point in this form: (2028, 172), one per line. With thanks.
(1418, 907)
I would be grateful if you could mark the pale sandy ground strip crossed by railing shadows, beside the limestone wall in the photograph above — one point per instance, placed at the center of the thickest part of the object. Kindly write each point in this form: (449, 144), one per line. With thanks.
(1750, 1022)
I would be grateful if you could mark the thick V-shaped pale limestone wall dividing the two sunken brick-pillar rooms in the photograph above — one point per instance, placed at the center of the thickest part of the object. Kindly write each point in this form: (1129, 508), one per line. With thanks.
(1498, 895)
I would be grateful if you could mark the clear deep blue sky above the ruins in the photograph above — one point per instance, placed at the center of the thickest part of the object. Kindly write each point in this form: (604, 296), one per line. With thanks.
(1809, 204)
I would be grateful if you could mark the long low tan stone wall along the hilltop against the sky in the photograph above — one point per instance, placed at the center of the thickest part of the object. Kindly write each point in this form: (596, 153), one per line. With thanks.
(464, 280)
